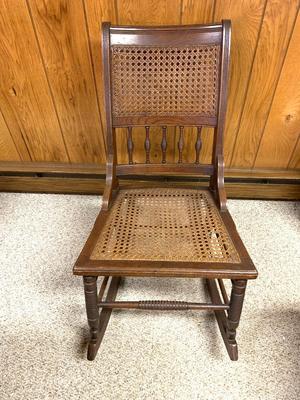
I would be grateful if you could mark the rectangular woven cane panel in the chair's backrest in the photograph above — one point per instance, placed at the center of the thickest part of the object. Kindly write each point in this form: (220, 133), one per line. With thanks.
(160, 81)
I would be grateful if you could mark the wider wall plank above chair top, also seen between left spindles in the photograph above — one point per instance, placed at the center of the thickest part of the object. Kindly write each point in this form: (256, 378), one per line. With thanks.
(149, 12)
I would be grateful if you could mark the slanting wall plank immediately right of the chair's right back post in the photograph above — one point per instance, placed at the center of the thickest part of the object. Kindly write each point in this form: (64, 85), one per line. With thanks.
(246, 17)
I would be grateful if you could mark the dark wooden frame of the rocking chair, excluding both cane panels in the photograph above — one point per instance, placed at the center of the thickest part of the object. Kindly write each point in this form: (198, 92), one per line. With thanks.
(227, 310)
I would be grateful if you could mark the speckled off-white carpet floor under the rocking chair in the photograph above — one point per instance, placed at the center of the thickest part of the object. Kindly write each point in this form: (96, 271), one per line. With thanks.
(143, 356)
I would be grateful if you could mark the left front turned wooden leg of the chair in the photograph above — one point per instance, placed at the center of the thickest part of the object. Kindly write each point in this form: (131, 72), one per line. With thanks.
(90, 291)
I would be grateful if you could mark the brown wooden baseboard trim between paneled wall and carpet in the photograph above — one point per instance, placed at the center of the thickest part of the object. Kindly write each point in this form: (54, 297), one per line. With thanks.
(90, 179)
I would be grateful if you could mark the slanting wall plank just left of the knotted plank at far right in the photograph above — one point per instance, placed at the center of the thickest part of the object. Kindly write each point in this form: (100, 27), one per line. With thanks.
(274, 37)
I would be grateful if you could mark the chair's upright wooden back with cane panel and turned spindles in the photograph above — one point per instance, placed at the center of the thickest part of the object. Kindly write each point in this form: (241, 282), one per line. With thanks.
(165, 76)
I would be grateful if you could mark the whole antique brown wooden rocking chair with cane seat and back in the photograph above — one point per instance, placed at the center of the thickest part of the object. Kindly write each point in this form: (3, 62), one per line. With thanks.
(165, 76)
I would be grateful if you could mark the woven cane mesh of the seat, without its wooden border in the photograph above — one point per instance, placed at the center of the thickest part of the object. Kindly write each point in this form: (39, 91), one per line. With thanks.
(165, 225)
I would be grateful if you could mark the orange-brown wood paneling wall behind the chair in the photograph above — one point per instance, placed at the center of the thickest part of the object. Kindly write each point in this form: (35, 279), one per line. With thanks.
(51, 91)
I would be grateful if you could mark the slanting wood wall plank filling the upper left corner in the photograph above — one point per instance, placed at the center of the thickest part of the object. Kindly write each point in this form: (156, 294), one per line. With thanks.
(25, 99)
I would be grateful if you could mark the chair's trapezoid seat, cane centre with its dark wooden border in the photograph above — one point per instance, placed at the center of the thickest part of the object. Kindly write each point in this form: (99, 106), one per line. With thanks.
(165, 226)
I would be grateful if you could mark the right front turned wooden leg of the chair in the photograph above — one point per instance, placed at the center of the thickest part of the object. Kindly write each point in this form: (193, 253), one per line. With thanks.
(235, 307)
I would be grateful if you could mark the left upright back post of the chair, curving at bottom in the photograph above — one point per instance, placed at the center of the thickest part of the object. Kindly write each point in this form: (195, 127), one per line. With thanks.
(111, 152)
